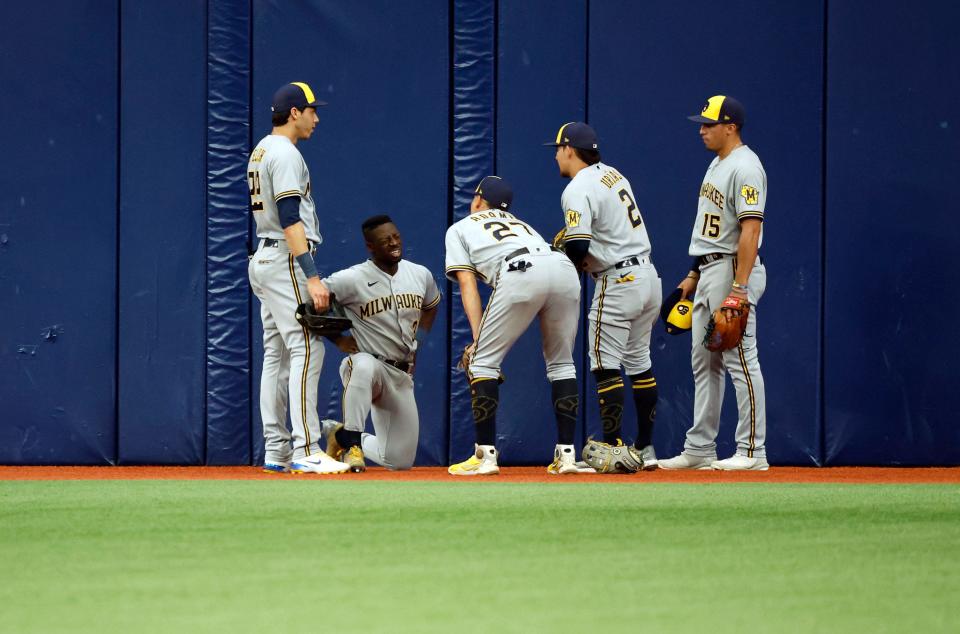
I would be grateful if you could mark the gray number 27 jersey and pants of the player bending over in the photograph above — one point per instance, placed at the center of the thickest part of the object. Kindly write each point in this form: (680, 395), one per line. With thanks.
(529, 279)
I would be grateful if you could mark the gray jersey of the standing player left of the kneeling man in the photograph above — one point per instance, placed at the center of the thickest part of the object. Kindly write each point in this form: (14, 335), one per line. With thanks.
(277, 170)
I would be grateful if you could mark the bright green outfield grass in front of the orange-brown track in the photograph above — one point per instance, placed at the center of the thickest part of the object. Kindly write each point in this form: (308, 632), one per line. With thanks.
(345, 556)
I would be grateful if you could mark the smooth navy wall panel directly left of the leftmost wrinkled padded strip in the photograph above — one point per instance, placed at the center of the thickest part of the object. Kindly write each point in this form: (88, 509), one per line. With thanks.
(162, 232)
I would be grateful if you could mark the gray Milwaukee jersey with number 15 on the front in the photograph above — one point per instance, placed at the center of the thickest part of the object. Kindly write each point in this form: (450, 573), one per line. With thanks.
(733, 189)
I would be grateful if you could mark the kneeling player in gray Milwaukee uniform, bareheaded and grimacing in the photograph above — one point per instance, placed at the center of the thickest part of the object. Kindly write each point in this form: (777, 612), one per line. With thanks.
(392, 303)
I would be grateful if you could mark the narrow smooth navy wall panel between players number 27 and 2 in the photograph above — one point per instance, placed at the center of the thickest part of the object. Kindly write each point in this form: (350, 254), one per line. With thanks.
(540, 87)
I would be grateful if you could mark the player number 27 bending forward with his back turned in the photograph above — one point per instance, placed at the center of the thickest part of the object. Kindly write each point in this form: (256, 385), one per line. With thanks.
(529, 279)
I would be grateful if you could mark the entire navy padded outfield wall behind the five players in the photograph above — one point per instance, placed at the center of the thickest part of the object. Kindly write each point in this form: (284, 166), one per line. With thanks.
(127, 329)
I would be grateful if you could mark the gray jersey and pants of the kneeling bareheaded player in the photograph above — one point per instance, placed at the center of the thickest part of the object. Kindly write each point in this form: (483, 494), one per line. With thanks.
(385, 310)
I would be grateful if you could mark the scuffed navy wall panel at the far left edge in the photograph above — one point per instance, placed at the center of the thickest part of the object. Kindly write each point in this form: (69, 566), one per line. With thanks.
(58, 211)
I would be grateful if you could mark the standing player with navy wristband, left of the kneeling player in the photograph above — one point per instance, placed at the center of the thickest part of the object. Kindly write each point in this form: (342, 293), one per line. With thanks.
(282, 273)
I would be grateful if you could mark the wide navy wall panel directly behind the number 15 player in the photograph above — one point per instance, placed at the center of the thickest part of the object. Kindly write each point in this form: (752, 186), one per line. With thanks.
(651, 65)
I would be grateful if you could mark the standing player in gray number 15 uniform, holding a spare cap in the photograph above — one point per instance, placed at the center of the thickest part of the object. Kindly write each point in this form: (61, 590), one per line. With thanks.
(727, 234)
